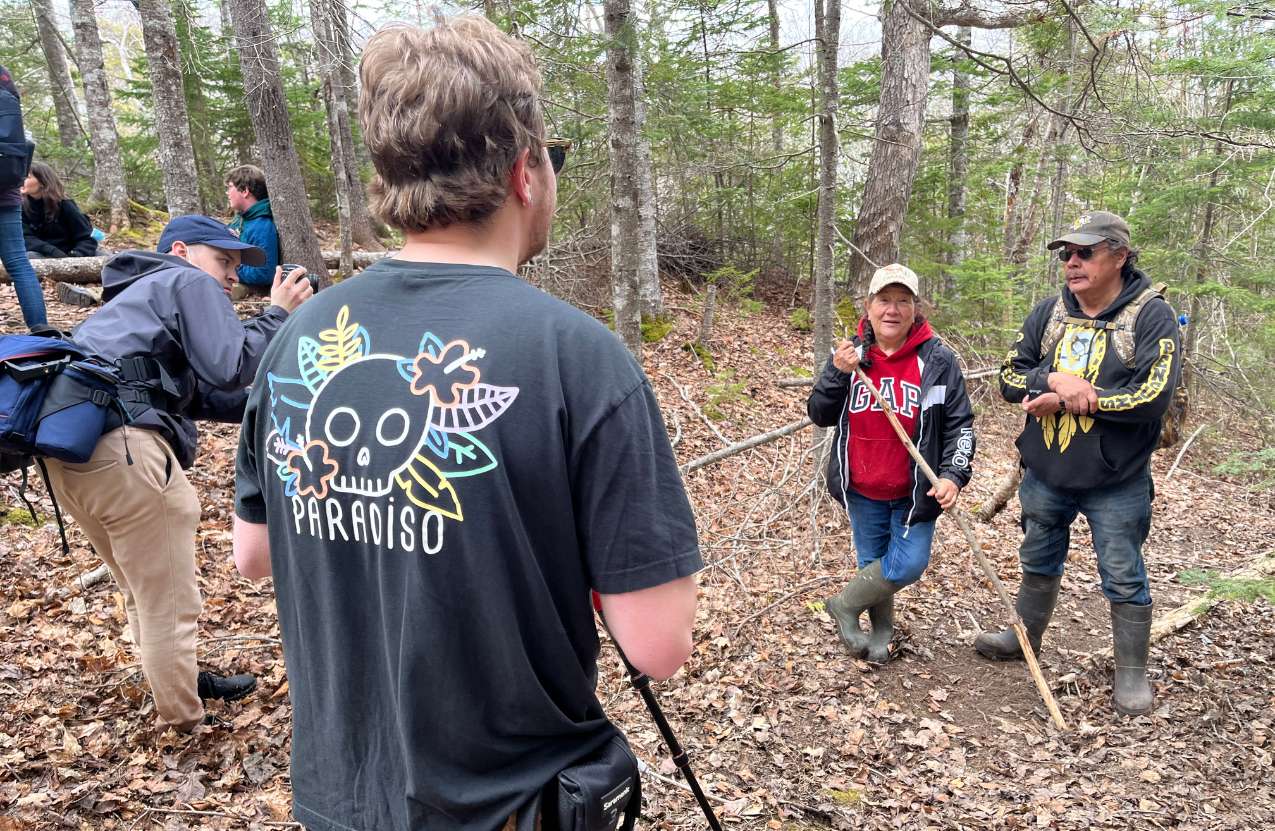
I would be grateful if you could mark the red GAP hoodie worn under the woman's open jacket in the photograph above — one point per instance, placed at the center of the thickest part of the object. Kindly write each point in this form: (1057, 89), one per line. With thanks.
(879, 465)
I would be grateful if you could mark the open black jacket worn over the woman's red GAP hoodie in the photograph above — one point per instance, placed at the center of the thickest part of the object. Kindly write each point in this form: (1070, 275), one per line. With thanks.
(944, 431)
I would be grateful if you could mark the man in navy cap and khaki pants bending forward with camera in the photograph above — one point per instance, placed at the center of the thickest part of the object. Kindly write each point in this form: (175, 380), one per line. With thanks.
(169, 324)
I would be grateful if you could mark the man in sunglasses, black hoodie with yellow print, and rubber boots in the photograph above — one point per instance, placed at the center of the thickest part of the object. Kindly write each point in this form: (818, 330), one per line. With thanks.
(1092, 424)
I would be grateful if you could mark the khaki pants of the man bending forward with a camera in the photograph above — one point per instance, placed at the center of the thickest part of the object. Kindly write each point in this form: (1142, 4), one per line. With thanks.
(142, 522)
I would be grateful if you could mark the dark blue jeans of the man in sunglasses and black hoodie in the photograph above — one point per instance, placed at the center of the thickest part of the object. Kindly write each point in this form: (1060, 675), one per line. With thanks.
(1120, 518)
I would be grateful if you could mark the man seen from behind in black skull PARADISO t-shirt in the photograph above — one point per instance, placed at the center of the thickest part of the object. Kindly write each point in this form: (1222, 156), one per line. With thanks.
(441, 462)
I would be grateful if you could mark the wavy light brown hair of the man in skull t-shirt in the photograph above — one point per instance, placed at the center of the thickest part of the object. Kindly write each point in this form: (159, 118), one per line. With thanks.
(446, 113)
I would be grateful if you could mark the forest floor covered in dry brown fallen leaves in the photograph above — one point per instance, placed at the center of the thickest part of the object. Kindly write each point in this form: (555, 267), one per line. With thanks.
(786, 732)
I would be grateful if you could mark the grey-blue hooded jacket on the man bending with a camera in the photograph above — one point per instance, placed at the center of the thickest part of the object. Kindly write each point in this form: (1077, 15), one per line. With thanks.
(159, 305)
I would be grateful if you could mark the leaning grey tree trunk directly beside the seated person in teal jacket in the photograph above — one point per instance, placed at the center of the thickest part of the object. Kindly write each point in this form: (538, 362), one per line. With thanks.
(270, 114)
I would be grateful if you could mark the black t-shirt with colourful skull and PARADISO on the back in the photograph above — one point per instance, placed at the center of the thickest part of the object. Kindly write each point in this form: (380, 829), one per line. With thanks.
(449, 461)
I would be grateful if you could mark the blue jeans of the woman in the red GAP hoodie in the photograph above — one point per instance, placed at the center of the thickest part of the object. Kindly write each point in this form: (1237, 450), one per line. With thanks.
(880, 535)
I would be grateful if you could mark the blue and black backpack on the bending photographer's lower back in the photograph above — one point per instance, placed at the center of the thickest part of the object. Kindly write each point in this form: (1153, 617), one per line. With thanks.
(55, 402)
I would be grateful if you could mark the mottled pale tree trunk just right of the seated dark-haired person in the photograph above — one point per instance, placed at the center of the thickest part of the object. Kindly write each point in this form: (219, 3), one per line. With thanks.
(104, 140)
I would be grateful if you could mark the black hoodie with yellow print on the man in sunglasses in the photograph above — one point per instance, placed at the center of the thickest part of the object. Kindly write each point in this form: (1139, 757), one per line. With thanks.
(1116, 443)
